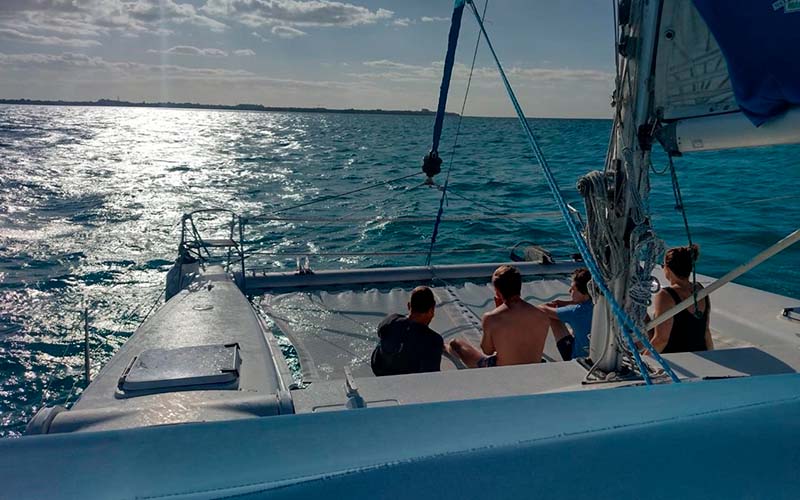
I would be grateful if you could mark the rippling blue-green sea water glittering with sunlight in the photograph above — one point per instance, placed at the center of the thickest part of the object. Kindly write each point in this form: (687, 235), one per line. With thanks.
(91, 200)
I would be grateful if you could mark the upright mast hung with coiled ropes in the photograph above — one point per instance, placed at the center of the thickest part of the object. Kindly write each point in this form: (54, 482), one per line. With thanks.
(619, 225)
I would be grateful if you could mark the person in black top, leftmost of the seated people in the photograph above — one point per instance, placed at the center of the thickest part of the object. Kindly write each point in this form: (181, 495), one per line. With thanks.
(407, 344)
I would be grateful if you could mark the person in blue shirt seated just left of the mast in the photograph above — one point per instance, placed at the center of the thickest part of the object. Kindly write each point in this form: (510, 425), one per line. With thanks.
(577, 313)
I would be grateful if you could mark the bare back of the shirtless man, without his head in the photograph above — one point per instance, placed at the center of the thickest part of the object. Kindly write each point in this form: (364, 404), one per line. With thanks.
(517, 331)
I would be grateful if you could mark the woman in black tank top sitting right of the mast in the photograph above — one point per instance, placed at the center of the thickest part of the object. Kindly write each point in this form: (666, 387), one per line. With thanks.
(688, 330)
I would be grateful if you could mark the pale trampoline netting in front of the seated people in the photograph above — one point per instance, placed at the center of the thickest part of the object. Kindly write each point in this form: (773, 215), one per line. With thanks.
(332, 330)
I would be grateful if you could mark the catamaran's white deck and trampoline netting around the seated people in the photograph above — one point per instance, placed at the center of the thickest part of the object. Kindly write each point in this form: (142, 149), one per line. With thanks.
(334, 330)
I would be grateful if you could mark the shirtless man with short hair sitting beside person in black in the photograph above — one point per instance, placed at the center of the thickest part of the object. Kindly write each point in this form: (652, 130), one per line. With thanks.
(513, 333)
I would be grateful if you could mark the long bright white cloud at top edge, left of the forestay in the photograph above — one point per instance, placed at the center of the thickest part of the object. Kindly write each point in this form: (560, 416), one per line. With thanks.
(256, 13)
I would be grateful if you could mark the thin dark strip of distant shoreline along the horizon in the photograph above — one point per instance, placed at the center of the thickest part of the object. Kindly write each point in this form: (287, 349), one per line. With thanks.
(236, 107)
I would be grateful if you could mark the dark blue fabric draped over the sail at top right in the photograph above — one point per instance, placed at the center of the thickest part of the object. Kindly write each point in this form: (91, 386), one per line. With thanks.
(759, 40)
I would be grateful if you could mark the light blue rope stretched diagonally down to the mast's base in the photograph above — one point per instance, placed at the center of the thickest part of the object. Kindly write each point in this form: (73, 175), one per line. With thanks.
(626, 322)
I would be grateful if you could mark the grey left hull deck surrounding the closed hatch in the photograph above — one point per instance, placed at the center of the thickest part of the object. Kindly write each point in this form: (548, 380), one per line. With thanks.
(211, 312)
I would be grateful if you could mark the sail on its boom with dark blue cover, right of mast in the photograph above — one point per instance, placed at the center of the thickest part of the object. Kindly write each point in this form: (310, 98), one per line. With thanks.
(717, 77)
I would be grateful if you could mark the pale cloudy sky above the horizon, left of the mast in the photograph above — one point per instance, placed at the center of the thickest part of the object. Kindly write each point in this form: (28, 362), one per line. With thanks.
(362, 54)
